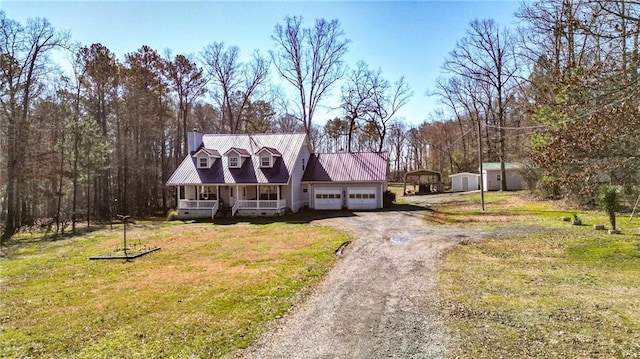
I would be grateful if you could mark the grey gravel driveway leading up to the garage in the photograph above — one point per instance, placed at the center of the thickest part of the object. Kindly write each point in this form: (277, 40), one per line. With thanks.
(377, 302)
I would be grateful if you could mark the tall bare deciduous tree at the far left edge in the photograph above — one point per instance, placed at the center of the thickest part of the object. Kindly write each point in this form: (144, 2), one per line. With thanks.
(24, 64)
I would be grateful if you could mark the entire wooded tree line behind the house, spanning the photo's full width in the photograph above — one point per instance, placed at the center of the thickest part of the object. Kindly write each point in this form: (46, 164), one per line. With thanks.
(558, 92)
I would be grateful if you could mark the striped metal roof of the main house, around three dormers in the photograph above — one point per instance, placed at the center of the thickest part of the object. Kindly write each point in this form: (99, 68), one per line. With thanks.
(288, 145)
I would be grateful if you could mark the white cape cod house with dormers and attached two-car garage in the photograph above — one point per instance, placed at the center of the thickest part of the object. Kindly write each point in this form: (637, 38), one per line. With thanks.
(267, 174)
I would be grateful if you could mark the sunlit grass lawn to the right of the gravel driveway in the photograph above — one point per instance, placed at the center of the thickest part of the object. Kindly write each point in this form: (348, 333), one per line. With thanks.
(562, 292)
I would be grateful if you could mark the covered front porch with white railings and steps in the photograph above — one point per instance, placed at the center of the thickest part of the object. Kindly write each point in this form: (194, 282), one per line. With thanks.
(209, 201)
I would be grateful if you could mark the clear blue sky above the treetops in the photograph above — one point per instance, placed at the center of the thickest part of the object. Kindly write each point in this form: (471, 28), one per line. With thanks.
(403, 38)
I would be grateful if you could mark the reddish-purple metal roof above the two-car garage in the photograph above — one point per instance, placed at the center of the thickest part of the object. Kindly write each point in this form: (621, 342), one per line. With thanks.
(346, 167)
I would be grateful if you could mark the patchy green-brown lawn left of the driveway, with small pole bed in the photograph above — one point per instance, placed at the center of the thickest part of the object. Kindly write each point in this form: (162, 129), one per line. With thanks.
(206, 293)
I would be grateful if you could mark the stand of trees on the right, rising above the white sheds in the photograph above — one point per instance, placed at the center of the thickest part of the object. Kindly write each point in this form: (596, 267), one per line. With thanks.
(559, 92)
